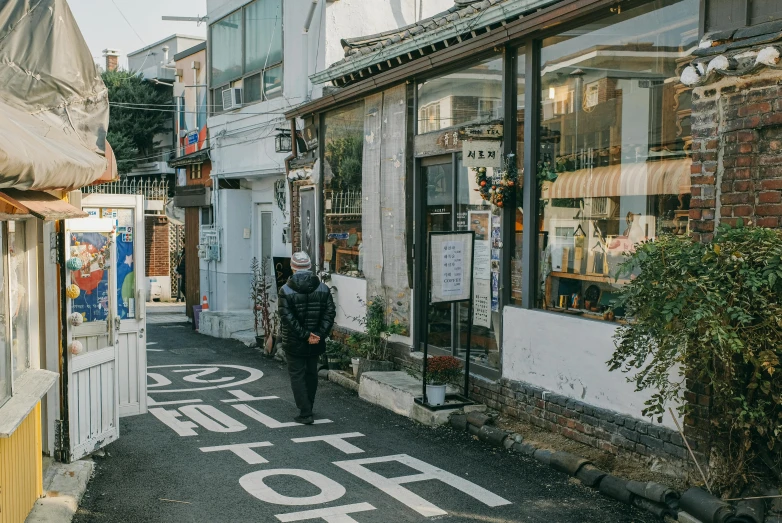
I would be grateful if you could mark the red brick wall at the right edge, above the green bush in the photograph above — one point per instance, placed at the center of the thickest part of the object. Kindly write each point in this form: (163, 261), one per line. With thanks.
(737, 154)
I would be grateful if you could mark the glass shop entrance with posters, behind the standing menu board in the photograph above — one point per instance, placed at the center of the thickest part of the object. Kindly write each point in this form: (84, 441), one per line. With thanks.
(452, 203)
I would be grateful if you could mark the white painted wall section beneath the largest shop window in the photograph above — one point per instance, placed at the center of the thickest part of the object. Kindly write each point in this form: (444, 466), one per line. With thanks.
(568, 355)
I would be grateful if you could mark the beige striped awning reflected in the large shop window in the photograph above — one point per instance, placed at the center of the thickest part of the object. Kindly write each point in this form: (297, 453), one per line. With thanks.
(634, 179)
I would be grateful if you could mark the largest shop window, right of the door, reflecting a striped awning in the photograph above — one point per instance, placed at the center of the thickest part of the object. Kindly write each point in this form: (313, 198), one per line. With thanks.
(614, 164)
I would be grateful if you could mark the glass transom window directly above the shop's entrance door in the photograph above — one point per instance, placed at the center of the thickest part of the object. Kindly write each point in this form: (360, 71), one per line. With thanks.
(472, 95)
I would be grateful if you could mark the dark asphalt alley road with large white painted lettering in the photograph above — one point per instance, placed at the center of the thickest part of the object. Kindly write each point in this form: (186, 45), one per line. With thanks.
(158, 471)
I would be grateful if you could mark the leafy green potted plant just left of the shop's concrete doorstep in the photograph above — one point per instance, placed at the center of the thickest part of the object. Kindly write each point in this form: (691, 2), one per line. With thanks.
(371, 347)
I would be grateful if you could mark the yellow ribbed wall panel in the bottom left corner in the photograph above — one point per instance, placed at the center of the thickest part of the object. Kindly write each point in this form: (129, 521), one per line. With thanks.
(21, 476)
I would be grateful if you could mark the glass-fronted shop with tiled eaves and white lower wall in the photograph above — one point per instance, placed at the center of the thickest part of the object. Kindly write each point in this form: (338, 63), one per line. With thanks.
(581, 132)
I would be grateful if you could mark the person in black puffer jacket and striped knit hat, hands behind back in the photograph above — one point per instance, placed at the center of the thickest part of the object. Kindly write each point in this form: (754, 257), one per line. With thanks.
(307, 314)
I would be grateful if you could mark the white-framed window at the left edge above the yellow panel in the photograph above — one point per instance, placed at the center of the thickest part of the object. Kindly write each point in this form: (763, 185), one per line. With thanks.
(15, 291)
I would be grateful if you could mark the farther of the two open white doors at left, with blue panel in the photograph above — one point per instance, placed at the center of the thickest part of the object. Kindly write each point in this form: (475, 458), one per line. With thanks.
(127, 215)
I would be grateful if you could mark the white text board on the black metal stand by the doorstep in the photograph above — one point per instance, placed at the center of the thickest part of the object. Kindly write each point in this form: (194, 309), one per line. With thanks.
(451, 266)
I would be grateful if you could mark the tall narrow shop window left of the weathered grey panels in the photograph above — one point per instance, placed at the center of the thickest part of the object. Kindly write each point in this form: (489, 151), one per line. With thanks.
(343, 158)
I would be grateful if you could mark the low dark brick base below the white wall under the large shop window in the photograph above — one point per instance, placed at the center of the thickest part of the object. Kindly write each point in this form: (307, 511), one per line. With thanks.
(593, 426)
